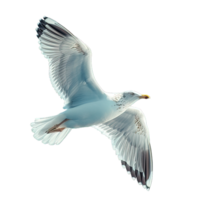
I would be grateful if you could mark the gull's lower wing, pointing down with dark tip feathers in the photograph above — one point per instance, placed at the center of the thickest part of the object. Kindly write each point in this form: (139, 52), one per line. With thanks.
(129, 138)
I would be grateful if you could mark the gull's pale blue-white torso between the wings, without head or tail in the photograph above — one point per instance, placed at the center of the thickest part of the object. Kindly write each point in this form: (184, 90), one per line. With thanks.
(93, 113)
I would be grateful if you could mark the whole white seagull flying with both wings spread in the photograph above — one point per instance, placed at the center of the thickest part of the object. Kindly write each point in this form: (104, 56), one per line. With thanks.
(85, 104)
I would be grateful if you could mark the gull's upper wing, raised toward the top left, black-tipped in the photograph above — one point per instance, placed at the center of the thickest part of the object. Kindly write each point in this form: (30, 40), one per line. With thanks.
(70, 63)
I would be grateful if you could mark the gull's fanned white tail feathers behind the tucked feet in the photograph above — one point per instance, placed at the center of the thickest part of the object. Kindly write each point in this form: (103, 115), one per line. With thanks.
(40, 126)
